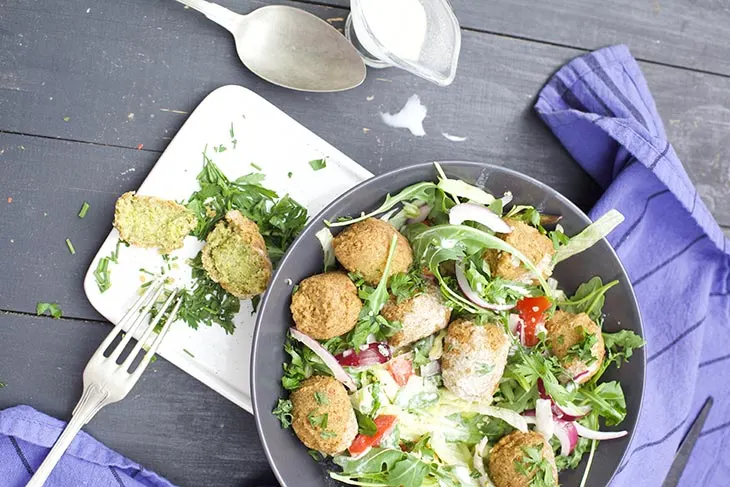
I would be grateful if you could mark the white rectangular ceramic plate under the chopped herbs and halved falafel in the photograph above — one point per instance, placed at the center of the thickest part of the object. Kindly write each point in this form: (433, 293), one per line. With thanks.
(273, 141)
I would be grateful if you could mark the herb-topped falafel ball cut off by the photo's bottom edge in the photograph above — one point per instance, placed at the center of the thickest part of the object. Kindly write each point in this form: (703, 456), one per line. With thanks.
(512, 463)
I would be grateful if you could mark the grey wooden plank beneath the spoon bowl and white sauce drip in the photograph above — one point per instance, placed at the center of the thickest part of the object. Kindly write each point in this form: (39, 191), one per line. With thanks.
(137, 60)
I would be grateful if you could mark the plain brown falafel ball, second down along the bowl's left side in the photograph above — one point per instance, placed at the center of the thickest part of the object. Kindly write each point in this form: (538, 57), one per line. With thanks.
(326, 305)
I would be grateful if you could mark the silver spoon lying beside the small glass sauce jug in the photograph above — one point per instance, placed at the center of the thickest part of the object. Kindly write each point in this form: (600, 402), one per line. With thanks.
(289, 47)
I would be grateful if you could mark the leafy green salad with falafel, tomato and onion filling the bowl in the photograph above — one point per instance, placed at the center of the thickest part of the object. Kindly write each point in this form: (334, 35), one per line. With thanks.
(497, 357)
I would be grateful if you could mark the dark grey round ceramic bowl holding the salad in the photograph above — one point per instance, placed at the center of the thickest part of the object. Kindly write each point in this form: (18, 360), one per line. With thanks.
(292, 465)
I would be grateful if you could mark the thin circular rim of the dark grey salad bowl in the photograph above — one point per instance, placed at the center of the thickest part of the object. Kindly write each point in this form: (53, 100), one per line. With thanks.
(373, 181)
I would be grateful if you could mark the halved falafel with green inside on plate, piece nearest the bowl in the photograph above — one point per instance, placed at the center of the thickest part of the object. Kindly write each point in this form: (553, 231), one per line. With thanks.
(235, 256)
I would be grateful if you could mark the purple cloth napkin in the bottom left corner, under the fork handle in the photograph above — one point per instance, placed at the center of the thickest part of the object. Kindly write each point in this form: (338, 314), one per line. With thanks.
(26, 436)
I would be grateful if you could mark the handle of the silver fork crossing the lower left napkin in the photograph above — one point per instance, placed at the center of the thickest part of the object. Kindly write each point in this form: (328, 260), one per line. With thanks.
(92, 400)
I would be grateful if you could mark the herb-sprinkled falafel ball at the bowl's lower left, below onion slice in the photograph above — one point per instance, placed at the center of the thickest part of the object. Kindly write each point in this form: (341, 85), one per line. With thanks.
(323, 417)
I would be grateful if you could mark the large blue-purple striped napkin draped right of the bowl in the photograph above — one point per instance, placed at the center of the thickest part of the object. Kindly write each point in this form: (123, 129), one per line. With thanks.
(676, 255)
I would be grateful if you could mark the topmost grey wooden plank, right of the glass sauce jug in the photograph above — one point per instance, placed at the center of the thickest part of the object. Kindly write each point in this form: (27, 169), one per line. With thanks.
(687, 33)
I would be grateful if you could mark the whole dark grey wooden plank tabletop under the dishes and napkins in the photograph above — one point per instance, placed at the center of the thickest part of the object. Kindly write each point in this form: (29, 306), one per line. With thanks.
(91, 93)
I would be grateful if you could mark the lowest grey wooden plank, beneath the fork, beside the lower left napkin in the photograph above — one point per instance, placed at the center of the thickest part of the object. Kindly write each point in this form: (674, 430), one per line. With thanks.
(170, 422)
